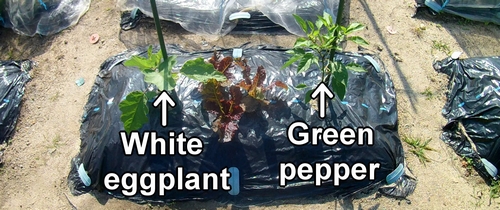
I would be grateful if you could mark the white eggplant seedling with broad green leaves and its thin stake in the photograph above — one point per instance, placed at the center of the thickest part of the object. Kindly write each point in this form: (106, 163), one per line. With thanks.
(157, 70)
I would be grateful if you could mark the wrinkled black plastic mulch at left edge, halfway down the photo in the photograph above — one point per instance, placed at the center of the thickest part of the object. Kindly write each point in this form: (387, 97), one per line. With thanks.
(14, 76)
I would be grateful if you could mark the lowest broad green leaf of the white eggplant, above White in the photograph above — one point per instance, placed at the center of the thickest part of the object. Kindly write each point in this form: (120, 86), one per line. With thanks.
(134, 111)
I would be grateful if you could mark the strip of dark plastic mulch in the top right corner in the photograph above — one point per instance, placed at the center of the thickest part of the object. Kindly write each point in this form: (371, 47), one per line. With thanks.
(485, 10)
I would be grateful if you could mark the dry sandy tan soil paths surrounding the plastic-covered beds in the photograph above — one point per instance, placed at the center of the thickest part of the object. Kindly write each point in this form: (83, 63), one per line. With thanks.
(37, 160)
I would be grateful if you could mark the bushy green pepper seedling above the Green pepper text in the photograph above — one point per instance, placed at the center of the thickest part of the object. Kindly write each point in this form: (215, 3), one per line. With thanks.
(323, 39)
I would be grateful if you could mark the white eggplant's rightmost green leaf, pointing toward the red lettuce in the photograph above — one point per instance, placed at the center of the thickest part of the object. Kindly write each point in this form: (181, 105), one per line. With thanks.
(199, 70)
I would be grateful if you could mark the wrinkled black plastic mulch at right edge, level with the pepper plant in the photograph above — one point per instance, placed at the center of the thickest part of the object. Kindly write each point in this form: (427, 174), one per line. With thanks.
(473, 100)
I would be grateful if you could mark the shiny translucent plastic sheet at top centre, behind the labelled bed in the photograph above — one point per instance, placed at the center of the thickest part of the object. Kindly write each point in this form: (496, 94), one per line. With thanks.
(212, 16)
